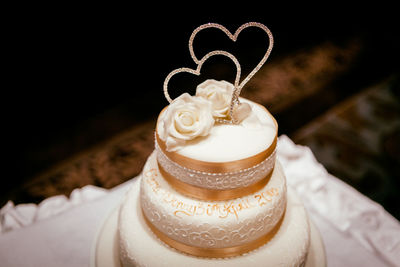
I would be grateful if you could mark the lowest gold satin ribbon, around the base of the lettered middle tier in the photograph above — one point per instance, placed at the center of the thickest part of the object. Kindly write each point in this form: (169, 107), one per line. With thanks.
(214, 252)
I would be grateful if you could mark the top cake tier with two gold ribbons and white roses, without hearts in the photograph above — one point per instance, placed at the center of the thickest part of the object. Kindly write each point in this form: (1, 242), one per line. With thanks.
(203, 157)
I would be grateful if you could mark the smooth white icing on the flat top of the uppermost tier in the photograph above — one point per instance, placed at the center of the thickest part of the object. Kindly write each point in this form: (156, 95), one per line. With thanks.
(227, 142)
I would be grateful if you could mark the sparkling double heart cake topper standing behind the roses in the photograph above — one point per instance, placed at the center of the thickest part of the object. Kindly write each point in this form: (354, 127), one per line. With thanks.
(237, 84)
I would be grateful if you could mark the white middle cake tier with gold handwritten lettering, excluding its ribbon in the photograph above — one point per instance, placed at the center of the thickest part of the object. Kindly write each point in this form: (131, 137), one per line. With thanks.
(213, 224)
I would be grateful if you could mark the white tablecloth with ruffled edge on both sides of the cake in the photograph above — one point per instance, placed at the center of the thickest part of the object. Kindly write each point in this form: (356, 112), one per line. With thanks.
(61, 231)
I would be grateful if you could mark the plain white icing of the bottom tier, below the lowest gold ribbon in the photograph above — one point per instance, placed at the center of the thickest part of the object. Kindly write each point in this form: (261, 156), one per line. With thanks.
(138, 246)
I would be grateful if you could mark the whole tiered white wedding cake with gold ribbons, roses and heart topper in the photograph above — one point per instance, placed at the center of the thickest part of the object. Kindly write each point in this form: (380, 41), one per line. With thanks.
(212, 192)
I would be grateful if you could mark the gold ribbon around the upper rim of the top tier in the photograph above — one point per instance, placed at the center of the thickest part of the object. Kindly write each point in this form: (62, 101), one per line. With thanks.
(217, 167)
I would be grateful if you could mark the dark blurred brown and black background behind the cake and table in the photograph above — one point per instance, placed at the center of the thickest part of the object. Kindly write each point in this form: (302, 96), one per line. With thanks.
(83, 86)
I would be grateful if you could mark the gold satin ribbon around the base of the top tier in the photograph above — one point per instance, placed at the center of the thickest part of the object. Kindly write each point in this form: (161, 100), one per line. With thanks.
(212, 194)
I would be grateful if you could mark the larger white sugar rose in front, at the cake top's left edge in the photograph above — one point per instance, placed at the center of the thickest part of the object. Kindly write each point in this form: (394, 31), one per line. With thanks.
(186, 118)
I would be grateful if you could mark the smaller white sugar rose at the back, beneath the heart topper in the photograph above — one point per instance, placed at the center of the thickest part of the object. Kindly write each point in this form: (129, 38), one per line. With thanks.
(219, 93)
